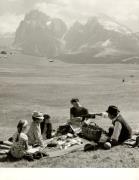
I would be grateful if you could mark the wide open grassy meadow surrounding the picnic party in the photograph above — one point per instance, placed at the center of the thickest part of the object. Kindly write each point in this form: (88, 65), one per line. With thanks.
(30, 83)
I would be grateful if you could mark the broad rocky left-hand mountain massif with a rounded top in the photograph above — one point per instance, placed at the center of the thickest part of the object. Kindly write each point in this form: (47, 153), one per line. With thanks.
(39, 34)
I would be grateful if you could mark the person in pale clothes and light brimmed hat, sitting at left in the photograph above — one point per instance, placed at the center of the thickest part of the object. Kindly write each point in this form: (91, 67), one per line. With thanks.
(34, 132)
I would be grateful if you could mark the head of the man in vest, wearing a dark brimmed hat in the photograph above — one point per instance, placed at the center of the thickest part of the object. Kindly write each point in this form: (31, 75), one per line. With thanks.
(112, 111)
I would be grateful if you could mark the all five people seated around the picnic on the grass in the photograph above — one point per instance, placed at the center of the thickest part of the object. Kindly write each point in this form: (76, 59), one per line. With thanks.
(41, 128)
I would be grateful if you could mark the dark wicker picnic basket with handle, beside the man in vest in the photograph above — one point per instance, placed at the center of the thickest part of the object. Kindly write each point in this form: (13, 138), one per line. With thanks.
(91, 132)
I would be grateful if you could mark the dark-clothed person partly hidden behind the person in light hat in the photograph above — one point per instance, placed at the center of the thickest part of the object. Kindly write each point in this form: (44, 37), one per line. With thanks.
(46, 127)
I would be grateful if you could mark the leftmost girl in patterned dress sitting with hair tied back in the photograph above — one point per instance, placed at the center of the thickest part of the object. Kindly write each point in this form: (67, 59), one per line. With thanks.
(20, 143)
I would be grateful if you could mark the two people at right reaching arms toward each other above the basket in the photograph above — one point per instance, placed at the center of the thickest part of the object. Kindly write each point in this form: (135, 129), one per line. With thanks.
(120, 130)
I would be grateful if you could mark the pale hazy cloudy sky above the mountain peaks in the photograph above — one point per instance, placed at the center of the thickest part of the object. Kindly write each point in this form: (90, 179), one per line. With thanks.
(13, 11)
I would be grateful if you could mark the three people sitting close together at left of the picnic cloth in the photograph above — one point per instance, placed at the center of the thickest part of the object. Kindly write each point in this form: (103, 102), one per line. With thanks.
(24, 139)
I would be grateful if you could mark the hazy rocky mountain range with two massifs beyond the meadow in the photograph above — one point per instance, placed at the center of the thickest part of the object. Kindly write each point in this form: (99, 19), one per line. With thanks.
(100, 39)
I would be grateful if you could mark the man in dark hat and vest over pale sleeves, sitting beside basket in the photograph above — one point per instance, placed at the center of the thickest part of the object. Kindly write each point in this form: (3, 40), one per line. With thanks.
(120, 131)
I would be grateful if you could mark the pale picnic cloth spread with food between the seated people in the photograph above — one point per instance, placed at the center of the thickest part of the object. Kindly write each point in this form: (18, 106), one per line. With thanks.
(57, 146)
